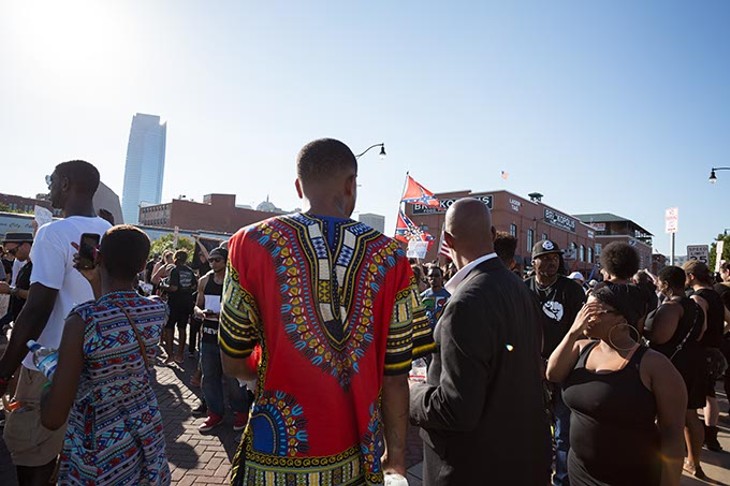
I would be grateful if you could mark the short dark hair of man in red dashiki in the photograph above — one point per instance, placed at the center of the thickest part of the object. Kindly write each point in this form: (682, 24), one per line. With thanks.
(324, 158)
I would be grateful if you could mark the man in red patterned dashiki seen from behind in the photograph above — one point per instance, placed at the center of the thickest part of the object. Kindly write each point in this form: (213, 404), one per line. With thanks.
(335, 309)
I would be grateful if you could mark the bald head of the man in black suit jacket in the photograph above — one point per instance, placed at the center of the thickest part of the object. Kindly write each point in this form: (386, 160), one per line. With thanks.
(469, 223)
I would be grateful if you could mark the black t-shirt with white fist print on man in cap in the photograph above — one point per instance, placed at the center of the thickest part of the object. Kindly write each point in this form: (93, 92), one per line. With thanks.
(560, 304)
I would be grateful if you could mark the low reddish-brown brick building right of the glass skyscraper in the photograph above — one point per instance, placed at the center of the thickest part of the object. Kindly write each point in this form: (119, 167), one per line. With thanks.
(217, 212)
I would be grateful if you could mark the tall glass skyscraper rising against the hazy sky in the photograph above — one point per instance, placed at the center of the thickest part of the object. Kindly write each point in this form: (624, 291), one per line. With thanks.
(145, 165)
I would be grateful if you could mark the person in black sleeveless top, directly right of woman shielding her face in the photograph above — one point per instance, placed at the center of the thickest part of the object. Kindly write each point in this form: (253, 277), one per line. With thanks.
(673, 330)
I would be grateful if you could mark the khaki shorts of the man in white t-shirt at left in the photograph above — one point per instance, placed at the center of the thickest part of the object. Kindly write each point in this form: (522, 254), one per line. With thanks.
(30, 443)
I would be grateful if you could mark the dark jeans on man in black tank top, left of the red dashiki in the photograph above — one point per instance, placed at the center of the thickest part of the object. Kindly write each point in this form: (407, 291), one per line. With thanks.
(213, 378)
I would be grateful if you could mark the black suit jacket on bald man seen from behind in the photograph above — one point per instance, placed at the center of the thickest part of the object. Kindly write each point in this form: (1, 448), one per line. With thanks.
(481, 409)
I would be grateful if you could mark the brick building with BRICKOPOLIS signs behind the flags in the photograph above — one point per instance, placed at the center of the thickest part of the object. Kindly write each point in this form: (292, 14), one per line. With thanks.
(529, 220)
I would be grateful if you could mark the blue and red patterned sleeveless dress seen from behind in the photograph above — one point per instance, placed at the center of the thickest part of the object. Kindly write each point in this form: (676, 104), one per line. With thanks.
(114, 433)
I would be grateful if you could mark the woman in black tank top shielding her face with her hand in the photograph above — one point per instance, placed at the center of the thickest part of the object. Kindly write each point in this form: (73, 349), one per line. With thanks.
(616, 390)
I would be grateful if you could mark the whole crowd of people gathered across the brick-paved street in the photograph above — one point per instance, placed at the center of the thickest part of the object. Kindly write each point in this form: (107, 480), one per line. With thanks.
(307, 325)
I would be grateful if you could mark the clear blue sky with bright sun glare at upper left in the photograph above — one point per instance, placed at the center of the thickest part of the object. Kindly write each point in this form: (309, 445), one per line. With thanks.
(601, 106)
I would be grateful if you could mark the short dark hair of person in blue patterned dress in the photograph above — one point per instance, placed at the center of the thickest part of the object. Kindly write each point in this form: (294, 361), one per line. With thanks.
(124, 251)
